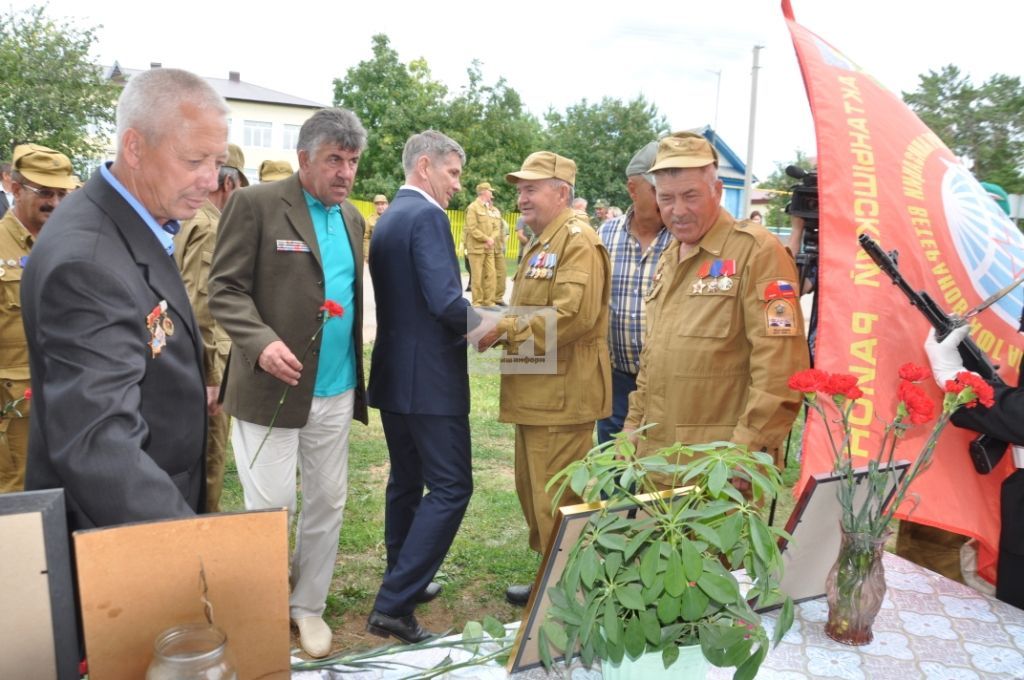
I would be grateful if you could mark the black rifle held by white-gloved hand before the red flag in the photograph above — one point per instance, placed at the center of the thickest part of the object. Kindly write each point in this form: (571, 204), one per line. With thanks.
(986, 451)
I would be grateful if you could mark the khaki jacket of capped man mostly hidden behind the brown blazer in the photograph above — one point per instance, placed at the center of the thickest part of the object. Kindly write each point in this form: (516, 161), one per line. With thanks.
(194, 246)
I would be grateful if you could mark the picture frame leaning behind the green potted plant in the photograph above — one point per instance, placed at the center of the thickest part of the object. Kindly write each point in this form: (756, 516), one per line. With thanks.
(570, 524)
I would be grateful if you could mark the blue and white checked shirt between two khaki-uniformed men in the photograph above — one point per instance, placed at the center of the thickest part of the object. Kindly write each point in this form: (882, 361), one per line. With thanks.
(632, 274)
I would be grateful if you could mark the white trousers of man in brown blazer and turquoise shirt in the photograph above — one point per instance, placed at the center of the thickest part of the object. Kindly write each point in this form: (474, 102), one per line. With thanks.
(320, 452)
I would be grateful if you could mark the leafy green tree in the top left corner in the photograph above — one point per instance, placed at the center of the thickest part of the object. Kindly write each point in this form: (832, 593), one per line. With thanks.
(52, 93)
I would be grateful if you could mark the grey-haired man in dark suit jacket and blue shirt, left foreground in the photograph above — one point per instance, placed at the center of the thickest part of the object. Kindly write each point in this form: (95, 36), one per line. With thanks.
(118, 401)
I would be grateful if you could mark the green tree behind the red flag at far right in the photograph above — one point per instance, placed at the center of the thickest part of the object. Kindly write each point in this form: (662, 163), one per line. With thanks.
(985, 124)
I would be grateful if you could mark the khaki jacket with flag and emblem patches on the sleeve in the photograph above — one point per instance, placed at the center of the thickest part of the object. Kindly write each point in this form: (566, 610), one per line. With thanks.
(718, 355)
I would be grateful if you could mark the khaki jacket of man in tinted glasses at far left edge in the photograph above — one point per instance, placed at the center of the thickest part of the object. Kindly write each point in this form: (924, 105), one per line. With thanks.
(16, 242)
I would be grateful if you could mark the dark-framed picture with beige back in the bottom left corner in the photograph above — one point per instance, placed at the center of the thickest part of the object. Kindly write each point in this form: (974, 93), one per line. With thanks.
(38, 633)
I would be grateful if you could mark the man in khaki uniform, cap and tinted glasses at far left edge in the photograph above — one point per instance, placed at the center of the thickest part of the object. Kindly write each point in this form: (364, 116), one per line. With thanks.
(40, 179)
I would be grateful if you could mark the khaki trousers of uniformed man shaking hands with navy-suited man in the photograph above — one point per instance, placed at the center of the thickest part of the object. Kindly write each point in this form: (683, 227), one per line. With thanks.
(541, 451)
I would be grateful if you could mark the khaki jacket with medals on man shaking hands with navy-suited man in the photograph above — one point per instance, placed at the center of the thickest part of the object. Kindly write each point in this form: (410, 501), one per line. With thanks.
(576, 284)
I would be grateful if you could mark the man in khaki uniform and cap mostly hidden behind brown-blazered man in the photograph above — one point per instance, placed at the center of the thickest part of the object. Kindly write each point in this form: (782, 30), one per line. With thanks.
(194, 246)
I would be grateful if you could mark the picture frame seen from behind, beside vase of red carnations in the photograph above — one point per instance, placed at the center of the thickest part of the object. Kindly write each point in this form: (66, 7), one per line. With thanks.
(815, 526)
